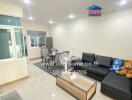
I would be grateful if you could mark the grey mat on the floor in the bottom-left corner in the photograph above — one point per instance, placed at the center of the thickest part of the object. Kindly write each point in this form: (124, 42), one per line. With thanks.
(14, 95)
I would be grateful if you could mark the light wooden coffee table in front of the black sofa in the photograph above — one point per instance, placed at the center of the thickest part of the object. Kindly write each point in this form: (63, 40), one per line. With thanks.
(79, 86)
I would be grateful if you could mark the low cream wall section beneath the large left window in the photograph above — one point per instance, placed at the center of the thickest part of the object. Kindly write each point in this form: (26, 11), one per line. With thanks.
(11, 70)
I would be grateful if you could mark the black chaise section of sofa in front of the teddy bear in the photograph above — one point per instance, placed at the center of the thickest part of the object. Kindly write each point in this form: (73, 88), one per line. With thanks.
(118, 87)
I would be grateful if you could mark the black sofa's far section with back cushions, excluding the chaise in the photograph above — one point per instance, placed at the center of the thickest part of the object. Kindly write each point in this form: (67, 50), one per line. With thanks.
(97, 67)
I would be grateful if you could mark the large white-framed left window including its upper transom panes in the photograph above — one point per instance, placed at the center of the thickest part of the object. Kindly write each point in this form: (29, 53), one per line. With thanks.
(11, 38)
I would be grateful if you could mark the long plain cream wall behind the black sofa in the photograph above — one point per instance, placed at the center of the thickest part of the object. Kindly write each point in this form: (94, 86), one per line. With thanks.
(109, 35)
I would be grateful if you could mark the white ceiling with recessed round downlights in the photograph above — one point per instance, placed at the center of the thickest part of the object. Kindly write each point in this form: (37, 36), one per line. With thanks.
(58, 10)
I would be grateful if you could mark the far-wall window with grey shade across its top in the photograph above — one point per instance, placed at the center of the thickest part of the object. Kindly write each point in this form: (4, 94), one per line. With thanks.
(37, 38)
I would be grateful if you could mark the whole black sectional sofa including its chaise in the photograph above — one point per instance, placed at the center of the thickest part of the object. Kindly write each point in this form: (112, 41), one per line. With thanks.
(97, 67)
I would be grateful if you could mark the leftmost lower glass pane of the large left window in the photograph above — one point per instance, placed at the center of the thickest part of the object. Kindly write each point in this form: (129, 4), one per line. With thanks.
(5, 44)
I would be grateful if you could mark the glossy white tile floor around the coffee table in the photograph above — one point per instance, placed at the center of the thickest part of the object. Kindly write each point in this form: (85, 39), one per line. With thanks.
(42, 86)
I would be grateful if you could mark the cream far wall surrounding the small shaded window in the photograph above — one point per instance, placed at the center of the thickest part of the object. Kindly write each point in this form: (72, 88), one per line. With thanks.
(34, 52)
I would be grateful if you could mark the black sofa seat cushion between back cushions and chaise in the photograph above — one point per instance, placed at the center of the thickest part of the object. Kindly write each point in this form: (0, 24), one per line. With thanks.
(101, 71)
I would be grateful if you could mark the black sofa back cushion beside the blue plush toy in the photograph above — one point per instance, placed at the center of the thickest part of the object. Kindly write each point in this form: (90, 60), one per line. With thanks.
(103, 61)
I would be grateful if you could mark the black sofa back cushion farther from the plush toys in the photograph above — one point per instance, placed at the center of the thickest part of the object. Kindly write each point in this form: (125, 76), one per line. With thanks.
(88, 57)
